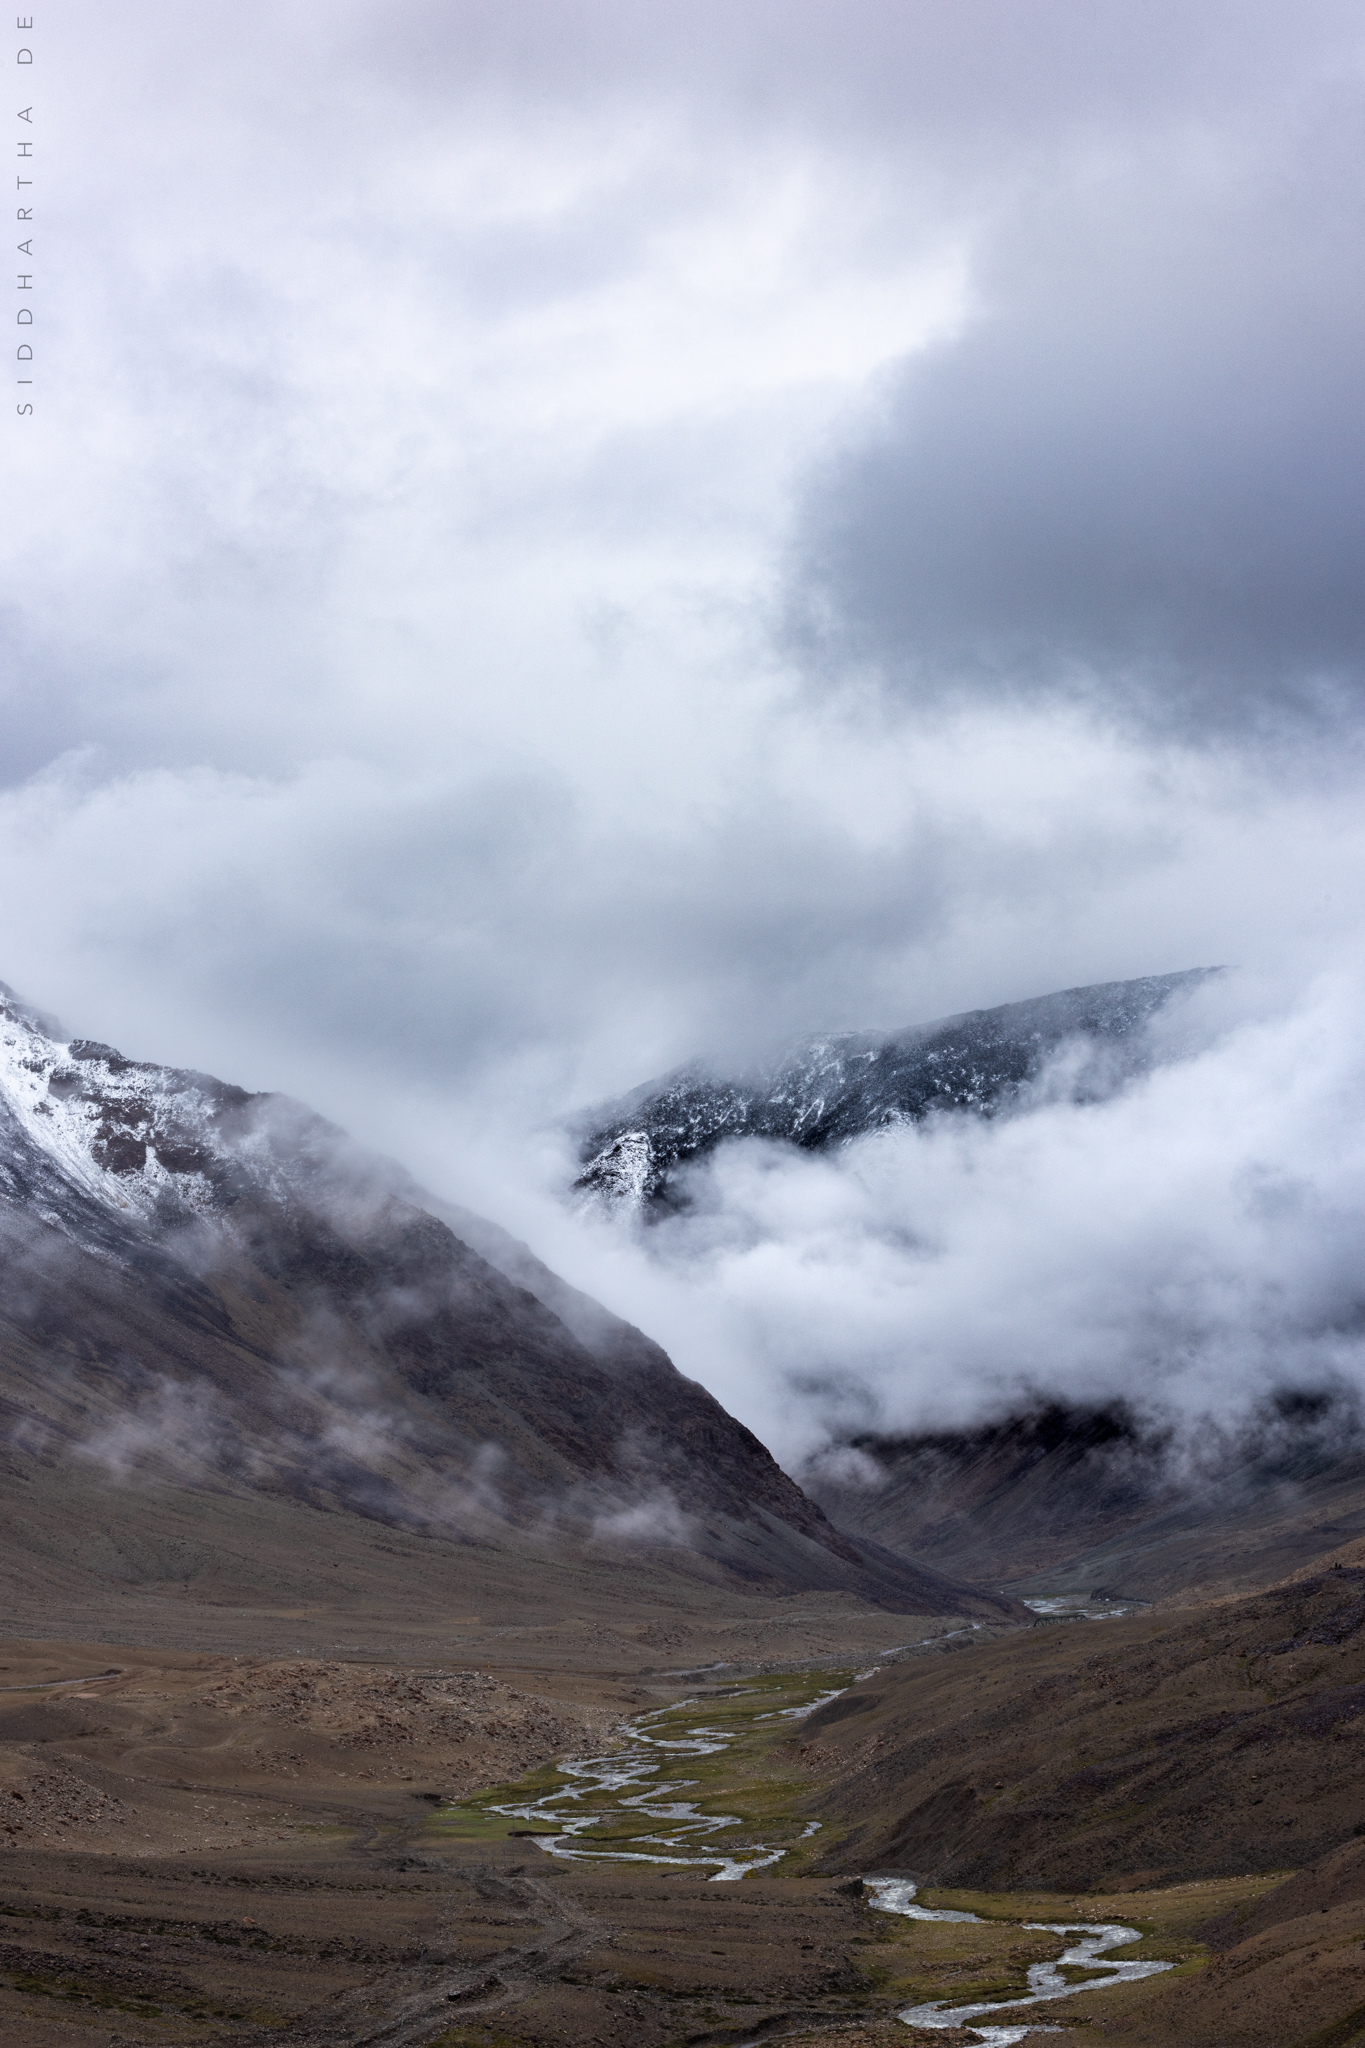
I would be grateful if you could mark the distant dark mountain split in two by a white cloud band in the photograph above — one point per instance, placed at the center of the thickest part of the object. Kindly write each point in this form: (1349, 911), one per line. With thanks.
(1057, 1500)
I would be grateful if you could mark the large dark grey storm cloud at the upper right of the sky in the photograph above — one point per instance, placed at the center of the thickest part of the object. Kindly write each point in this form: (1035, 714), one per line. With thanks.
(1139, 476)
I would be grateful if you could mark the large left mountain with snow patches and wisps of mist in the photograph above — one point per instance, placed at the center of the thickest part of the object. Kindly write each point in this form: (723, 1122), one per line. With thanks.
(218, 1310)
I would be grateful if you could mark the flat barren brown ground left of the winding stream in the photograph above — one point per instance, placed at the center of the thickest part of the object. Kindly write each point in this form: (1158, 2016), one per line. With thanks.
(247, 1850)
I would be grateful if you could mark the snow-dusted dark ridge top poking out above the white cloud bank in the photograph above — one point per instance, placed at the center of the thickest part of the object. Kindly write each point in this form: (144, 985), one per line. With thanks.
(828, 1091)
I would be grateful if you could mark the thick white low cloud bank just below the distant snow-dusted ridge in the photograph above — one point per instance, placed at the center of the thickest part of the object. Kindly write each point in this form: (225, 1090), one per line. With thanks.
(1188, 1246)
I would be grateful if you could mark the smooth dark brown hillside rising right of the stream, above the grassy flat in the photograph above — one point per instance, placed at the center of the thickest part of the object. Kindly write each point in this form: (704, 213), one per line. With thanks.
(1157, 1748)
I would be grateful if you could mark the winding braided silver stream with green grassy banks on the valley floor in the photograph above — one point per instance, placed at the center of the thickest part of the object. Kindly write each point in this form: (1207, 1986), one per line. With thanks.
(629, 1807)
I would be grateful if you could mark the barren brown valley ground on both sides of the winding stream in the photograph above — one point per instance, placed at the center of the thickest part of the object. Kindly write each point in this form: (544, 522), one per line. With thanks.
(216, 1848)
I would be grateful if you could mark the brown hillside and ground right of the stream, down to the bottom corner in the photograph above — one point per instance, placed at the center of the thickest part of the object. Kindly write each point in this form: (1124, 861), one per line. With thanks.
(1137, 1768)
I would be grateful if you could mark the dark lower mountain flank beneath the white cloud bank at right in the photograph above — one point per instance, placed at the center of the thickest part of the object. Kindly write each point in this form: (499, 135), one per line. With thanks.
(1069, 1500)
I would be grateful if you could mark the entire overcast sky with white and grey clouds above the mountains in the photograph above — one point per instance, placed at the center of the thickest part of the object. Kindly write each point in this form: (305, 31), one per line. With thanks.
(562, 538)
